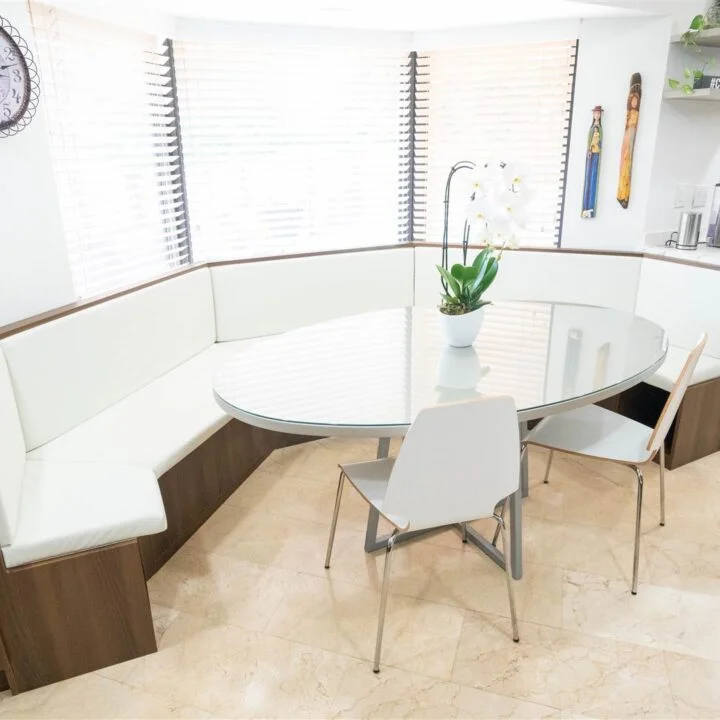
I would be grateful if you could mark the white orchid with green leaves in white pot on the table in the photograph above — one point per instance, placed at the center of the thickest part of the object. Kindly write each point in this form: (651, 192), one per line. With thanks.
(498, 197)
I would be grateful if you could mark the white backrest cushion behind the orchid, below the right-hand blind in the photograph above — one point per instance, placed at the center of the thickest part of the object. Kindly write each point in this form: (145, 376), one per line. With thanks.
(611, 281)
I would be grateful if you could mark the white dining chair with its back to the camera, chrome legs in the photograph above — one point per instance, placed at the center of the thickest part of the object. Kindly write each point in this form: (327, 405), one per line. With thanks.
(458, 461)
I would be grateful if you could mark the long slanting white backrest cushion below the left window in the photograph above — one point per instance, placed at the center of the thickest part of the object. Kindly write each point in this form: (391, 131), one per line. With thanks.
(68, 370)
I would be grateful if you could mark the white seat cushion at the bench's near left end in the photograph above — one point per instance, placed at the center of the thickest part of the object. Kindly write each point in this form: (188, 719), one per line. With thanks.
(68, 507)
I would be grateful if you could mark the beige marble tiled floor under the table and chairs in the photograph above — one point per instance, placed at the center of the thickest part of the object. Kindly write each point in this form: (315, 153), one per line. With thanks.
(250, 624)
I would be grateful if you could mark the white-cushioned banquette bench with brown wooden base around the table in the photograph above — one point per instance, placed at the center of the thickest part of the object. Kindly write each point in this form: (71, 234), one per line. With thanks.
(113, 450)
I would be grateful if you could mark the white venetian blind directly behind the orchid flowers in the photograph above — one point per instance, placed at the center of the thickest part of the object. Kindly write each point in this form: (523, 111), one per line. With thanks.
(507, 103)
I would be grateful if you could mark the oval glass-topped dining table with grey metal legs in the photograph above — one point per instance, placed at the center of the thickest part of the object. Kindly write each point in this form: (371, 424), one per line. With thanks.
(368, 375)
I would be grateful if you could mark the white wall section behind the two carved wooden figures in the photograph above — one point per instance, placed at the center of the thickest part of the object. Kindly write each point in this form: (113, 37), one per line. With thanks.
(610, 51)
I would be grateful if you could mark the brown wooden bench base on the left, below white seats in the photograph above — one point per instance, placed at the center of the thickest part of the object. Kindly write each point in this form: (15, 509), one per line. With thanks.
(71, 615)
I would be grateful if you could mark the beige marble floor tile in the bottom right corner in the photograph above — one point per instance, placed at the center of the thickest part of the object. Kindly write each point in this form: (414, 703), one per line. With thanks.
(695, 685)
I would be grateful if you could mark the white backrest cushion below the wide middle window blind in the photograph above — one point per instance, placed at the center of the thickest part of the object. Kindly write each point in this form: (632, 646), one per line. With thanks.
(308, 290)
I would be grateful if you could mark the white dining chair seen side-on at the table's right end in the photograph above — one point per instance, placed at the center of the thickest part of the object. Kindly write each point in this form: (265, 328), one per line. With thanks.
(595, 432)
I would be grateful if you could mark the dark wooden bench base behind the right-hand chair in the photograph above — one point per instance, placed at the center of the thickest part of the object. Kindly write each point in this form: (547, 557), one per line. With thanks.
(694, 434)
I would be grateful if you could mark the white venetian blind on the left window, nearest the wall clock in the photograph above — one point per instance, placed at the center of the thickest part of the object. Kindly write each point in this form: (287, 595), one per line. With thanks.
(109, 100)
